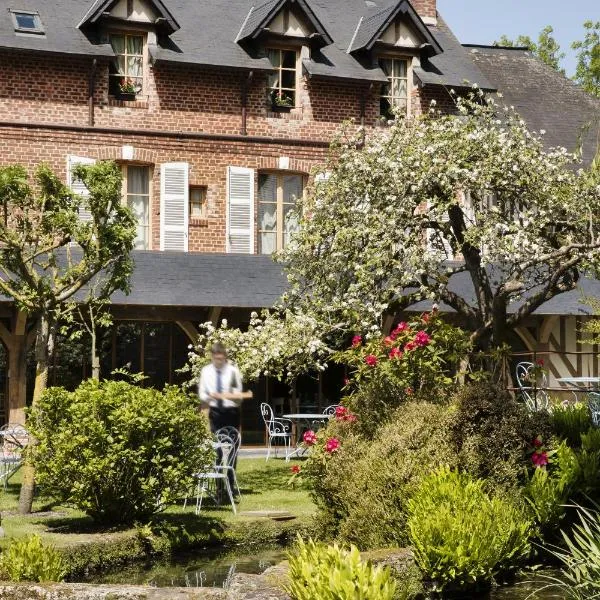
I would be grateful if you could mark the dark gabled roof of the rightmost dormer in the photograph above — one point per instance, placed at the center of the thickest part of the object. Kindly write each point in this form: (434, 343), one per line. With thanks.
(370, 28)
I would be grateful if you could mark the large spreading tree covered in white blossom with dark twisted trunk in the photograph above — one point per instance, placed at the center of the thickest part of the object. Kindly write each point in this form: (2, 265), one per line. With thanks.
(407, 209)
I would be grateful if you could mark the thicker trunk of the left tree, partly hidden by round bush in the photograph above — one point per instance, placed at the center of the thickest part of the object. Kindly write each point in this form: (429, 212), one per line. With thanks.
(44, 342)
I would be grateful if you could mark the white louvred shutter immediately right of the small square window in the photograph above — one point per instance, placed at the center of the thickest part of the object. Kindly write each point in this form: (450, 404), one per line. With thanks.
(240, 210)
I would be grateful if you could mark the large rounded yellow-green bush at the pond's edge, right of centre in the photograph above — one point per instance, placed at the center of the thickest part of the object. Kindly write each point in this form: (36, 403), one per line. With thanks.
(460, 536)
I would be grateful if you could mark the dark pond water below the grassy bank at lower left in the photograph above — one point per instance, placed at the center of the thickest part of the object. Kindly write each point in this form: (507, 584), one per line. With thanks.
(205, 569)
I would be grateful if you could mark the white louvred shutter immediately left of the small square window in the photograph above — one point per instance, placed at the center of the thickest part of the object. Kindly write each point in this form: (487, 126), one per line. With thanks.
(174, 206)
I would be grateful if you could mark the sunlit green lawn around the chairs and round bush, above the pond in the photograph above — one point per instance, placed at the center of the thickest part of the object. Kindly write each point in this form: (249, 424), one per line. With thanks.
(263, 485)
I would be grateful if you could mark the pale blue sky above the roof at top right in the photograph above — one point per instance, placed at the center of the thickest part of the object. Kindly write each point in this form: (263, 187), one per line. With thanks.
(484, 21)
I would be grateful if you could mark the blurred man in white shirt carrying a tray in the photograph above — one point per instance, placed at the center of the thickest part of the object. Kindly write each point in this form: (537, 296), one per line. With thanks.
(220, 389)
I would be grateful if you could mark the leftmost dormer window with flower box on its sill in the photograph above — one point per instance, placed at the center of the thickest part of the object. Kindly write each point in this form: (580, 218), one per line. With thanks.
(126, 75)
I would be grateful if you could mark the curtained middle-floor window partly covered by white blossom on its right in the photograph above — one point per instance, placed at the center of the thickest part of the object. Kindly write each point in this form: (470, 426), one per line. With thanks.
(277, 196)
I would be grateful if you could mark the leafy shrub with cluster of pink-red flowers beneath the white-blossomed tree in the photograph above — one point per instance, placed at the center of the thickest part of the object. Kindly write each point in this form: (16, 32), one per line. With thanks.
(387, 371)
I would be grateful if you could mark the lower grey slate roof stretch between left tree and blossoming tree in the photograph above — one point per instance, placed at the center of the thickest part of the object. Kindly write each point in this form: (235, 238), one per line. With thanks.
(200, 280)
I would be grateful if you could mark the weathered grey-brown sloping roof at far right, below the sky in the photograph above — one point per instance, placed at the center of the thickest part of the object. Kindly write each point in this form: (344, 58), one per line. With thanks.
(542, 96)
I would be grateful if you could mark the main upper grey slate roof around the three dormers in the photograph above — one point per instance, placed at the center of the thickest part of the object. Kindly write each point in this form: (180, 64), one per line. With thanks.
(209, 29)
